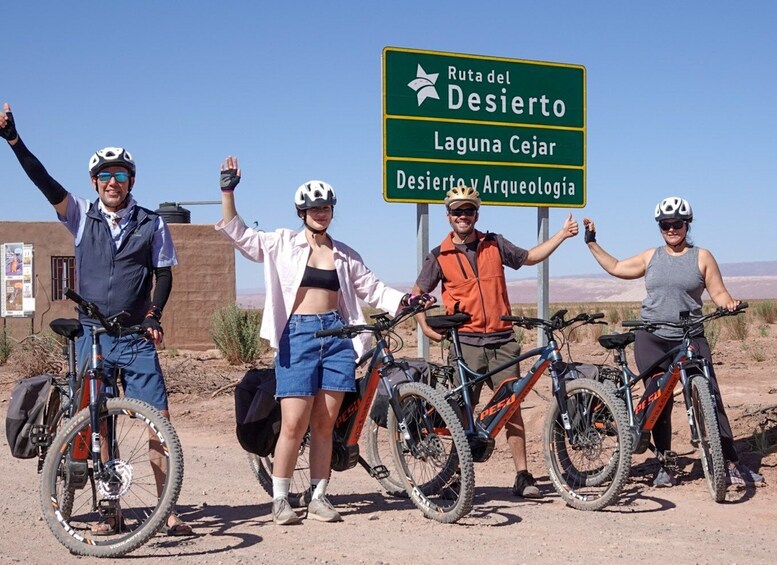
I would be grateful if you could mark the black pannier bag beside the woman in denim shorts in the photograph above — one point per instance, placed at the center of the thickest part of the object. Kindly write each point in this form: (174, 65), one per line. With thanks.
(257, 413)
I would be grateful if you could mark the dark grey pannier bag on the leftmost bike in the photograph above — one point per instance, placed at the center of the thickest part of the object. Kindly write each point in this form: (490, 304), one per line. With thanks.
(25, 410)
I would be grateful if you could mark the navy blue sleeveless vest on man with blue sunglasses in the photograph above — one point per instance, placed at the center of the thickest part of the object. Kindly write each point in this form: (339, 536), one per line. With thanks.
(117, 279)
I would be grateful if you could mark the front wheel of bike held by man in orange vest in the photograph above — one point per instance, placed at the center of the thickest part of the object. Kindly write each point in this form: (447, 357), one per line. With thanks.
(589, 465)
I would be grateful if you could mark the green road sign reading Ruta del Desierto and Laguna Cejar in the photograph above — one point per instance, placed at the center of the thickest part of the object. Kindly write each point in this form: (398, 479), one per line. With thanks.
(512, 129)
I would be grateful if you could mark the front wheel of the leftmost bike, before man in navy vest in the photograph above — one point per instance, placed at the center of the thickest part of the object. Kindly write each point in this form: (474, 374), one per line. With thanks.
(116, 509)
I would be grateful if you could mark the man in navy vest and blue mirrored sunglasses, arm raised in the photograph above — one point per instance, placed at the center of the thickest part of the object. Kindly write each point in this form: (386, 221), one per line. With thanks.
(122, 250)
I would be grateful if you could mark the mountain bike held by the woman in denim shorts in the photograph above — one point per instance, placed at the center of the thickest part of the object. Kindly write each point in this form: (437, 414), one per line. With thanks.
(428, 444)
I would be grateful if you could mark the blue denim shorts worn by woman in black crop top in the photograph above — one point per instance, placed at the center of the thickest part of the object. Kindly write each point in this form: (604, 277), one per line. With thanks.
(306, 364)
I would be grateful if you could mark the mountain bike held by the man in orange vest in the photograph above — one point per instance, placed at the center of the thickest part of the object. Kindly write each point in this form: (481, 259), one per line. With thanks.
(580, 438)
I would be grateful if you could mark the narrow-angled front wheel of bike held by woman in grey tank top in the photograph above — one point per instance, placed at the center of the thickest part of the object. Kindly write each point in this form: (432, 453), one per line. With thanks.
(710, 451)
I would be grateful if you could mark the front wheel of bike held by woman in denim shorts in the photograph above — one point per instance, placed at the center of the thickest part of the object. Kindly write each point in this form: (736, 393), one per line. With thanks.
(432, 455)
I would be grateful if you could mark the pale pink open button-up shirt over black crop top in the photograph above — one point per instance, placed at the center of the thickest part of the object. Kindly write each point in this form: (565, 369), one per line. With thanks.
(285, 254)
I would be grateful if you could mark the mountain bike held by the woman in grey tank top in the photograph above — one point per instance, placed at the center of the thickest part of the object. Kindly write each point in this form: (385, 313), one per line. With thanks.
(689, 368)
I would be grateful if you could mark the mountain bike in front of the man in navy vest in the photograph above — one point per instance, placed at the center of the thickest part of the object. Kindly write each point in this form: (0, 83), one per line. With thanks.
(112, 473)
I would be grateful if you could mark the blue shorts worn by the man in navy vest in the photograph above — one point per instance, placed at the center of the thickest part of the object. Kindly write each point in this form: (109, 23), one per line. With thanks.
(142, 375)
